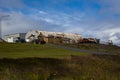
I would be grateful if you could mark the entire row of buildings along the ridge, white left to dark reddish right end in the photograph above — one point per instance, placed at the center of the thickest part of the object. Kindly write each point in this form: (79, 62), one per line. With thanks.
(39, 37)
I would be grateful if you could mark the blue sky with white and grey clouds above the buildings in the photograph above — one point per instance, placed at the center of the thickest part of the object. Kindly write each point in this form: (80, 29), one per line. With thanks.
(89, 18)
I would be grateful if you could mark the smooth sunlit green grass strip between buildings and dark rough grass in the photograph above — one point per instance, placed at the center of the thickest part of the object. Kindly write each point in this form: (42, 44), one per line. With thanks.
(34, 50)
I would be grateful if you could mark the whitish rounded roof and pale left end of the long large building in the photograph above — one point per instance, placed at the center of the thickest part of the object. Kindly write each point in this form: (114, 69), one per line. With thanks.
(31, 35)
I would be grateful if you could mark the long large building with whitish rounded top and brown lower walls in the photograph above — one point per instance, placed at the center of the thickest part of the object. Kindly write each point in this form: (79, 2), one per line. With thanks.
(52, 37)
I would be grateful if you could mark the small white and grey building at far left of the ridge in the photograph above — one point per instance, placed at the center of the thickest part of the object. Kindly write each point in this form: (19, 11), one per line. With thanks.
(12, 38)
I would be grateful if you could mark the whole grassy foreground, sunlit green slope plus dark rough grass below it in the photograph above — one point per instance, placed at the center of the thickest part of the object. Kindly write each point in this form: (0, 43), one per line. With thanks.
(43, 62)
